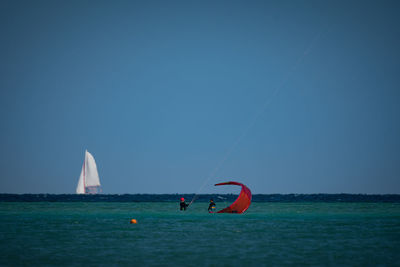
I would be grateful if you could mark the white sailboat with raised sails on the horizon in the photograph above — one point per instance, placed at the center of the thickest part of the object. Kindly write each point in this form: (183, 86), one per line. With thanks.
(89, 181)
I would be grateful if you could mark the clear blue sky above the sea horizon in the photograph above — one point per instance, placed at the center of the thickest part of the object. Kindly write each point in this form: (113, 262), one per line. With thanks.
(175, 96)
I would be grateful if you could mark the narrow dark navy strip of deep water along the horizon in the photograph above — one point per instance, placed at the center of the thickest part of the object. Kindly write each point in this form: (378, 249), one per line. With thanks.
(388, 198)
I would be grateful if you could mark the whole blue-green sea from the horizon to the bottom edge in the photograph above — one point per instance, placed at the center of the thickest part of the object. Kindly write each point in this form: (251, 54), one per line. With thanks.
(276, 230)
